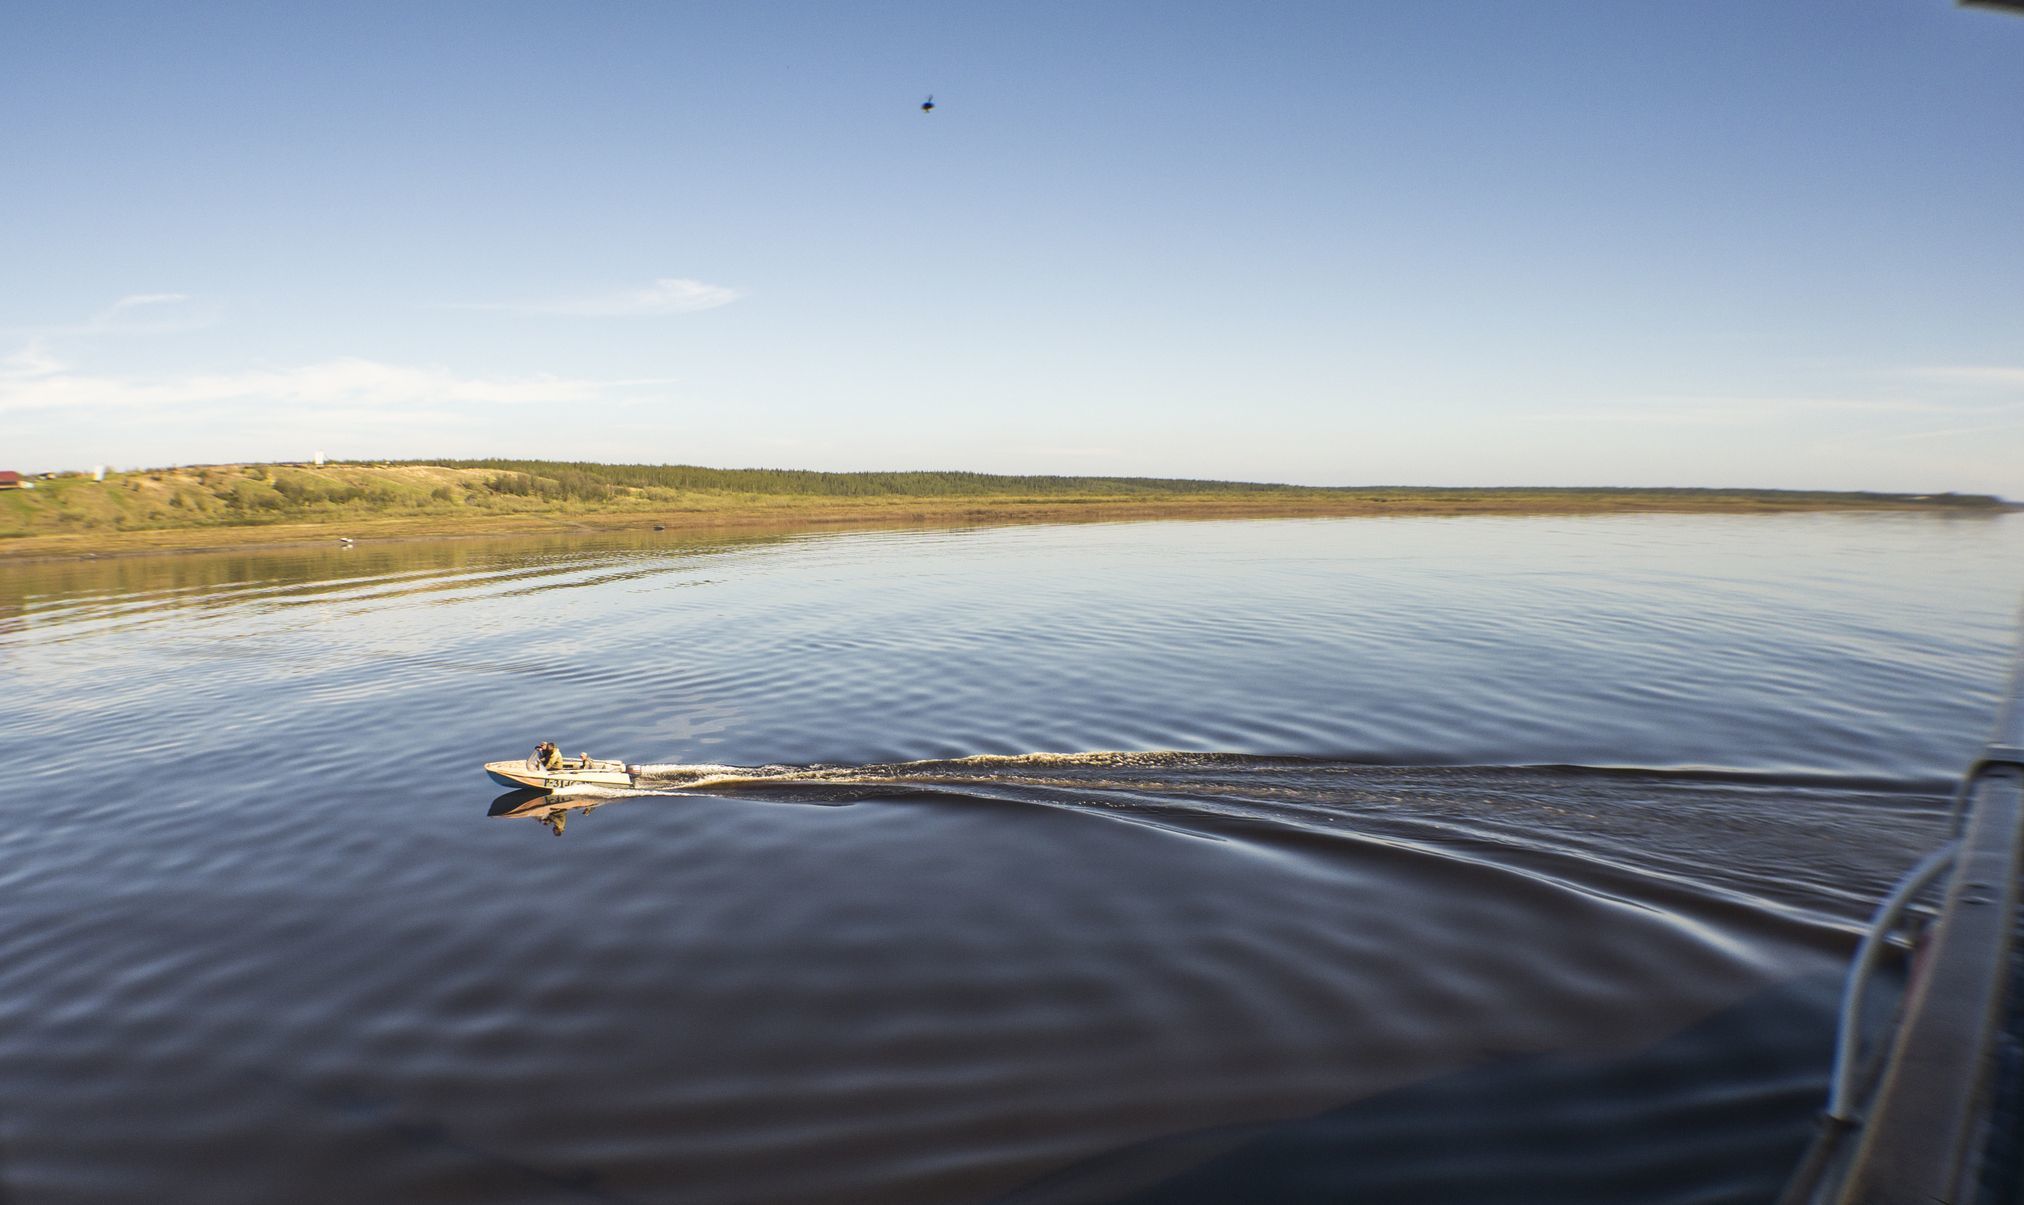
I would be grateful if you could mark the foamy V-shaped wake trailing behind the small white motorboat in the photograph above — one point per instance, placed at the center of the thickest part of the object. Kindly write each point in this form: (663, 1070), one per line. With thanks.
(1804, 848)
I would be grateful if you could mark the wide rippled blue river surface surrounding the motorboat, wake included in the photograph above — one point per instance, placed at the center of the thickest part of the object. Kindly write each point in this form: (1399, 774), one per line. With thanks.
(1454, 860)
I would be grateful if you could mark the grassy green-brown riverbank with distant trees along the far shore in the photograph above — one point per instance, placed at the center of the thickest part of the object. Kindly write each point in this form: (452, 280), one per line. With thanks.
(234, 505)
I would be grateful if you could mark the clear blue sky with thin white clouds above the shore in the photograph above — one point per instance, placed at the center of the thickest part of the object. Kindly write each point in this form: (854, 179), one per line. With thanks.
(1713, 244)
